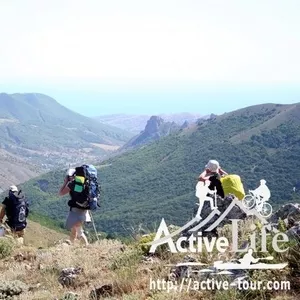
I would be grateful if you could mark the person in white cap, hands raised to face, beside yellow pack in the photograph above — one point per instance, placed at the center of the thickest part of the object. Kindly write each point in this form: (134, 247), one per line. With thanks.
(213, 172)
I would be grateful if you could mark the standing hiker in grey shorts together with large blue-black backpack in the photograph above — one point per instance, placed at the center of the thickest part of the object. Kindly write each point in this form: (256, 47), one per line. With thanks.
(82, 185)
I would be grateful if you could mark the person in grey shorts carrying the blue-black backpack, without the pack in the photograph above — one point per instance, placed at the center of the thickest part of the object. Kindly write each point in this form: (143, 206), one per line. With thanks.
(77, 214)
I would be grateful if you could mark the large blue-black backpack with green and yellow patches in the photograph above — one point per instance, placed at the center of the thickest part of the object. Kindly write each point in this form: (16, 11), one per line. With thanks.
(85, 190)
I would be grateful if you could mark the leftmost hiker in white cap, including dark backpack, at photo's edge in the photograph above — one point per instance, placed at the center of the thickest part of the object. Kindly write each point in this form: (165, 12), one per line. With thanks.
(16, 209)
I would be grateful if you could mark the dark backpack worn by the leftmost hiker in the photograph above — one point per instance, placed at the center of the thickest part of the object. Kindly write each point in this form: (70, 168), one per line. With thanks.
(17, 211)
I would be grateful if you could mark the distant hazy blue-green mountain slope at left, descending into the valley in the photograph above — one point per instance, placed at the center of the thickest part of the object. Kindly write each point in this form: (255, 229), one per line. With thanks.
(38, 128)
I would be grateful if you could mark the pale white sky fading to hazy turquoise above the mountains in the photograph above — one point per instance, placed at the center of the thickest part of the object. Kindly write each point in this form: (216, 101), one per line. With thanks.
(149, 57)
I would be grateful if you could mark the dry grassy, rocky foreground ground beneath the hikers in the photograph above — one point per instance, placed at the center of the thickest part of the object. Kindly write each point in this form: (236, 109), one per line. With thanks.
(109, 269)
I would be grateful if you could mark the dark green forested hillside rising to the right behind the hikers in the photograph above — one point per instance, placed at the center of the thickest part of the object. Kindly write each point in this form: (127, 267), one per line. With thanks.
(159, 180)
